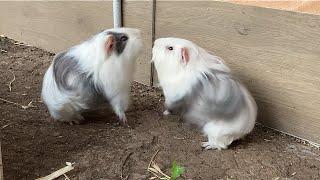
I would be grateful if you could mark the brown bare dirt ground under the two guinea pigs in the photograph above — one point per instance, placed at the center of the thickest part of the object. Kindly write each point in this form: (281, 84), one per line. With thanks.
(34, 146)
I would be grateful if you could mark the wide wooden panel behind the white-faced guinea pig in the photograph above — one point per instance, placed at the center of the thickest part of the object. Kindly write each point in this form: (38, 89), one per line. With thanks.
(276, 53)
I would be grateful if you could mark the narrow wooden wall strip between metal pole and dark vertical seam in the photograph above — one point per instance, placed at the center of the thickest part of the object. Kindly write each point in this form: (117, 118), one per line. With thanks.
(138, 14)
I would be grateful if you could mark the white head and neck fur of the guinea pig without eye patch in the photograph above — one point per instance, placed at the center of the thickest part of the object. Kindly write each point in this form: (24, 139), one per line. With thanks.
(173, 74)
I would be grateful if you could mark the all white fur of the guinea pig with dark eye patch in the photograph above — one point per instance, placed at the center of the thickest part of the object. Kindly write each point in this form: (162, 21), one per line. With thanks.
(113, 74)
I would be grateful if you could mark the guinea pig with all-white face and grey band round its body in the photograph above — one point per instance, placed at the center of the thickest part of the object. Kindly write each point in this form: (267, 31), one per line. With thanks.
(200, 88)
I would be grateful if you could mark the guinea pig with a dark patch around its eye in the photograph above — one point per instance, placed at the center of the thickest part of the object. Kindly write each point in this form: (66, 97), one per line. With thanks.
(96, 72)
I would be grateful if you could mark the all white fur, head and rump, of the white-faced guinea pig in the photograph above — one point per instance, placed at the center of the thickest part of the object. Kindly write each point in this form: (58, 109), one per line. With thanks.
(177, 79)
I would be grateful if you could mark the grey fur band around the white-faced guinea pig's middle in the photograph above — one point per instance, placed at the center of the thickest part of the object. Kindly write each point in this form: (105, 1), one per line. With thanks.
(218, 96)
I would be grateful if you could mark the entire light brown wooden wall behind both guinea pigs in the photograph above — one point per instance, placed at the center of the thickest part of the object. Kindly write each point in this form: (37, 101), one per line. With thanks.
(276, 53)
